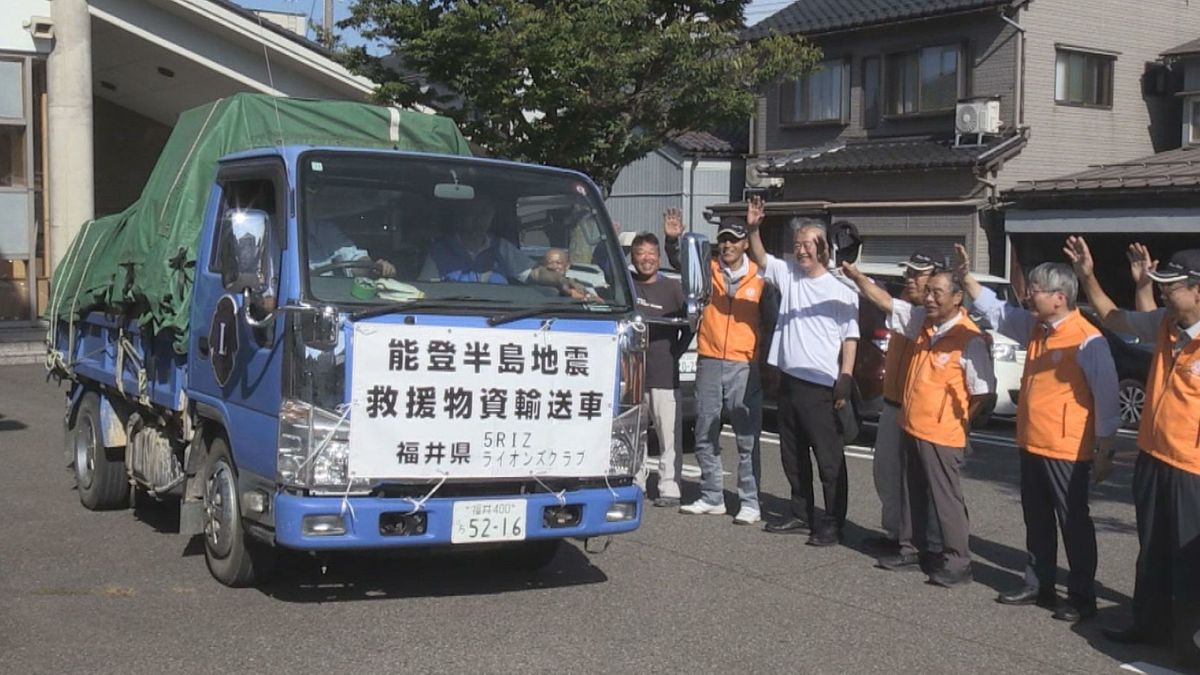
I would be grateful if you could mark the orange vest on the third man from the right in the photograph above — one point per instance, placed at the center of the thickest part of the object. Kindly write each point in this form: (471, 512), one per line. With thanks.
(937, 403)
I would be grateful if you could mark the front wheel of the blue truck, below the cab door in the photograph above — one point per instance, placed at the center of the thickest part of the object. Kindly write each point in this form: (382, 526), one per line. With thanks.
(232, 557)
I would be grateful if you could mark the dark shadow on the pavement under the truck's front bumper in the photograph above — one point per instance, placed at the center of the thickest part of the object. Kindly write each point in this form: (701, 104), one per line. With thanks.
(365, 577)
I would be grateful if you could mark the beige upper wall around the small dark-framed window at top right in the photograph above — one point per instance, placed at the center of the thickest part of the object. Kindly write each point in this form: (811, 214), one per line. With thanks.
(1066, 140)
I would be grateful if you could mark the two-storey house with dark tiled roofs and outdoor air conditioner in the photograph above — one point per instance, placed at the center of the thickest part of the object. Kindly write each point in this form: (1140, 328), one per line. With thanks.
(871, 136)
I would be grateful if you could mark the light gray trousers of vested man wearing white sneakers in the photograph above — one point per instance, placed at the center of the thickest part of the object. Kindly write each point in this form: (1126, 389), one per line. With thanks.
(735, 390)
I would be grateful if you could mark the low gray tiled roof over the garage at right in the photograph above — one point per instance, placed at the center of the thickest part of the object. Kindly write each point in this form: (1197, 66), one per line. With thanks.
(1173, 170)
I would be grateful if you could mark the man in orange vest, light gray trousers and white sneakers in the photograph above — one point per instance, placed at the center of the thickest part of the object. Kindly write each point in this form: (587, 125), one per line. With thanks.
(728, 372)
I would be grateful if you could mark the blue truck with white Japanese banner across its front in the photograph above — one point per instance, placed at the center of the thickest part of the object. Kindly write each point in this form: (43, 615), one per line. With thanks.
(379, 354)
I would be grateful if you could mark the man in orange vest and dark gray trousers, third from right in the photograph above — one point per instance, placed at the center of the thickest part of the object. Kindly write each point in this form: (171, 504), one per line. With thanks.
(950, 381)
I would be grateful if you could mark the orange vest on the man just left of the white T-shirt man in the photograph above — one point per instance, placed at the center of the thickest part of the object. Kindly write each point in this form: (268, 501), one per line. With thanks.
(730, 327)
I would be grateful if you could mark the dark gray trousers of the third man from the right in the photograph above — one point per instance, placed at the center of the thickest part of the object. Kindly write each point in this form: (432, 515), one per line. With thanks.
(932, 479)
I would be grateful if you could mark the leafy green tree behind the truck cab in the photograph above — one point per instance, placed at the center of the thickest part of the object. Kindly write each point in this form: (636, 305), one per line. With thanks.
(587, 85)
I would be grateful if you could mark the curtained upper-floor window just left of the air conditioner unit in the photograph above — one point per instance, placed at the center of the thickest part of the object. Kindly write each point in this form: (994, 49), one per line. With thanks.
(923, 81)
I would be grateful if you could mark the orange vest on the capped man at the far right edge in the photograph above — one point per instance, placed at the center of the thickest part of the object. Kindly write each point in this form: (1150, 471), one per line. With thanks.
(1171, 417)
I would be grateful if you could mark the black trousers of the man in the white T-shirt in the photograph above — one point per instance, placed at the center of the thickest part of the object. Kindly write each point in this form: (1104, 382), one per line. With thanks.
(807, 421)
